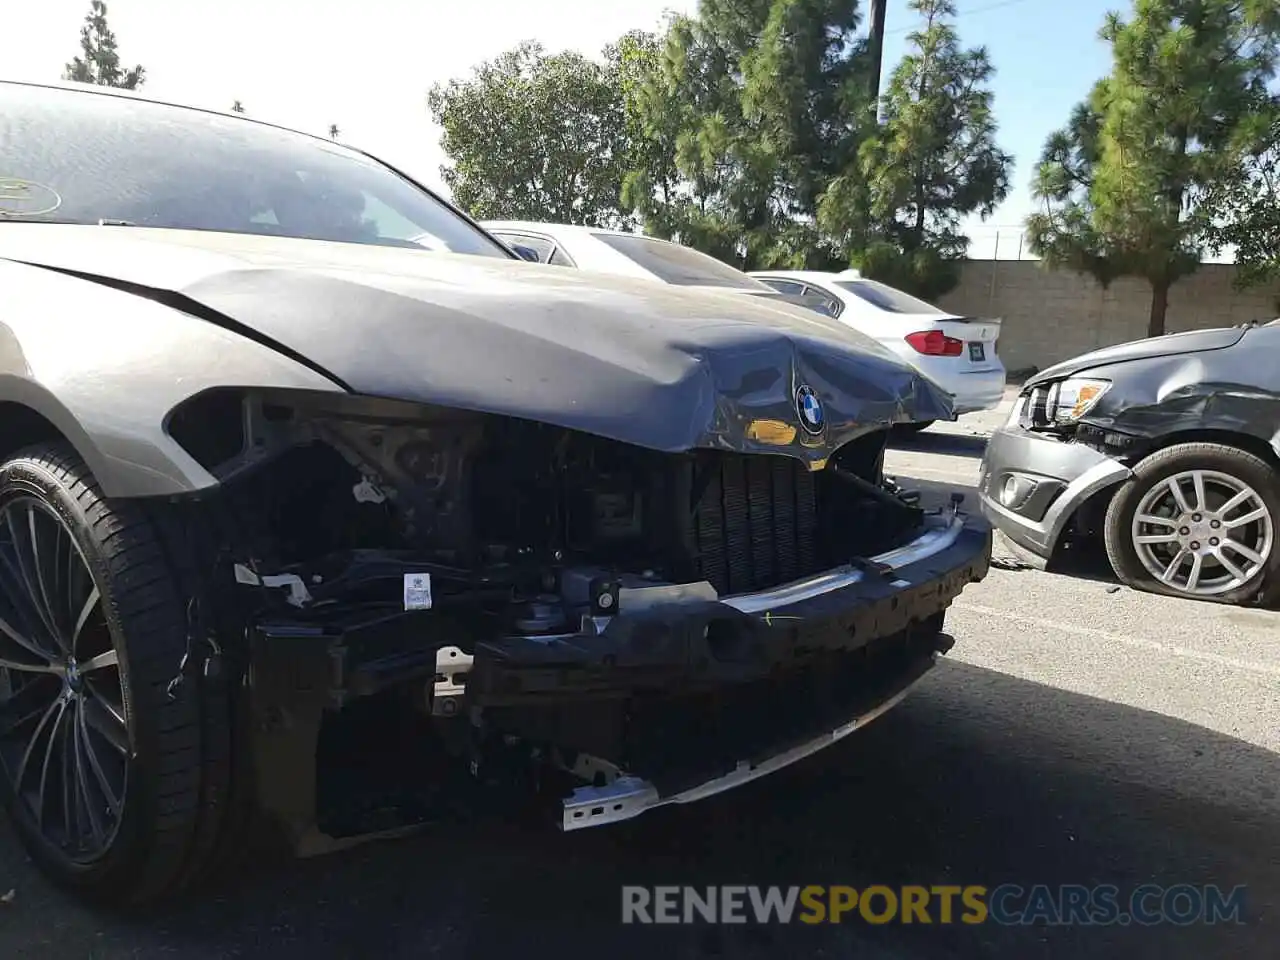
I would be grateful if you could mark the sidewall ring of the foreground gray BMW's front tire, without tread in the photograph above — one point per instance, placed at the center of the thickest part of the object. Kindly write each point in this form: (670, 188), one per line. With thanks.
(29, 478)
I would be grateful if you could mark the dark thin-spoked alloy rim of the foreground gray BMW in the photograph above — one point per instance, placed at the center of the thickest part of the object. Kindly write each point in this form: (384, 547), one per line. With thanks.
(65, 743)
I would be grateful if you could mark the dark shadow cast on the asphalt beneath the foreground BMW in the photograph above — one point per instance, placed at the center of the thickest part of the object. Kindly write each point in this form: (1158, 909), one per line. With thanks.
(979, 779)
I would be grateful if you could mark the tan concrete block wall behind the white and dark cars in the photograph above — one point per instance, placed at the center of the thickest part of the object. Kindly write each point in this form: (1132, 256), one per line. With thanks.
(1053, 316)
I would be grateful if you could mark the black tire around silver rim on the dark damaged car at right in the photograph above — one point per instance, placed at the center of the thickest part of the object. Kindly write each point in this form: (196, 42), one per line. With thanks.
(1263, 587)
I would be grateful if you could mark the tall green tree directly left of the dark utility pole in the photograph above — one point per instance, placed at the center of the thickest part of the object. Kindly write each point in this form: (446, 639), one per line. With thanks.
(756, 104)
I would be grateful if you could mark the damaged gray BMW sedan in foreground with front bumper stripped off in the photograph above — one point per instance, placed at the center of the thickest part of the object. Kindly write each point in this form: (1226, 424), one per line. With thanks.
(323, 513)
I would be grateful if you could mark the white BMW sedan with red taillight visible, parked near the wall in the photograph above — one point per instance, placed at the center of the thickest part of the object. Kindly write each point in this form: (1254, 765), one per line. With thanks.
(958, 353)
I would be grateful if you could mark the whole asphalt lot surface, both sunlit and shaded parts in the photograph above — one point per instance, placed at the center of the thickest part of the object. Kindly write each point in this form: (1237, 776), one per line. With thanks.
(1077, 734)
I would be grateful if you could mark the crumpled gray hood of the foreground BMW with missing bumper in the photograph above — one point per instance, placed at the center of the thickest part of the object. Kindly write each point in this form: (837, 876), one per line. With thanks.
(632, 360)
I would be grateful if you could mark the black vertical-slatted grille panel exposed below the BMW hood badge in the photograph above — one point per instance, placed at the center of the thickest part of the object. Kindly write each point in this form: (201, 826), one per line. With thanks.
(756, 523)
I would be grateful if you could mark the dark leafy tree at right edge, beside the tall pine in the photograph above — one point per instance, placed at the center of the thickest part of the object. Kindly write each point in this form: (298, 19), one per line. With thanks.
(1247, 207)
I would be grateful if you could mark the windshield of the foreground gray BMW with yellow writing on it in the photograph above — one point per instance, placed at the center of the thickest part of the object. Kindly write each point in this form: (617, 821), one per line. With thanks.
(77, 157)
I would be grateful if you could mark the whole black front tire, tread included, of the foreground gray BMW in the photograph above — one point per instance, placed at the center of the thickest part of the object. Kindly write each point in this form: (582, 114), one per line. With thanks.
(181, 793)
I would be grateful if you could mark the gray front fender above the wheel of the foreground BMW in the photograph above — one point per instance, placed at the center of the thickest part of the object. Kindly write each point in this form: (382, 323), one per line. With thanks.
(107, 367)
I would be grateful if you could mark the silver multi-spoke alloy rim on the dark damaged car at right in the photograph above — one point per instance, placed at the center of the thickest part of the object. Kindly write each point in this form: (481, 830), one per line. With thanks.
(1203, 532)
